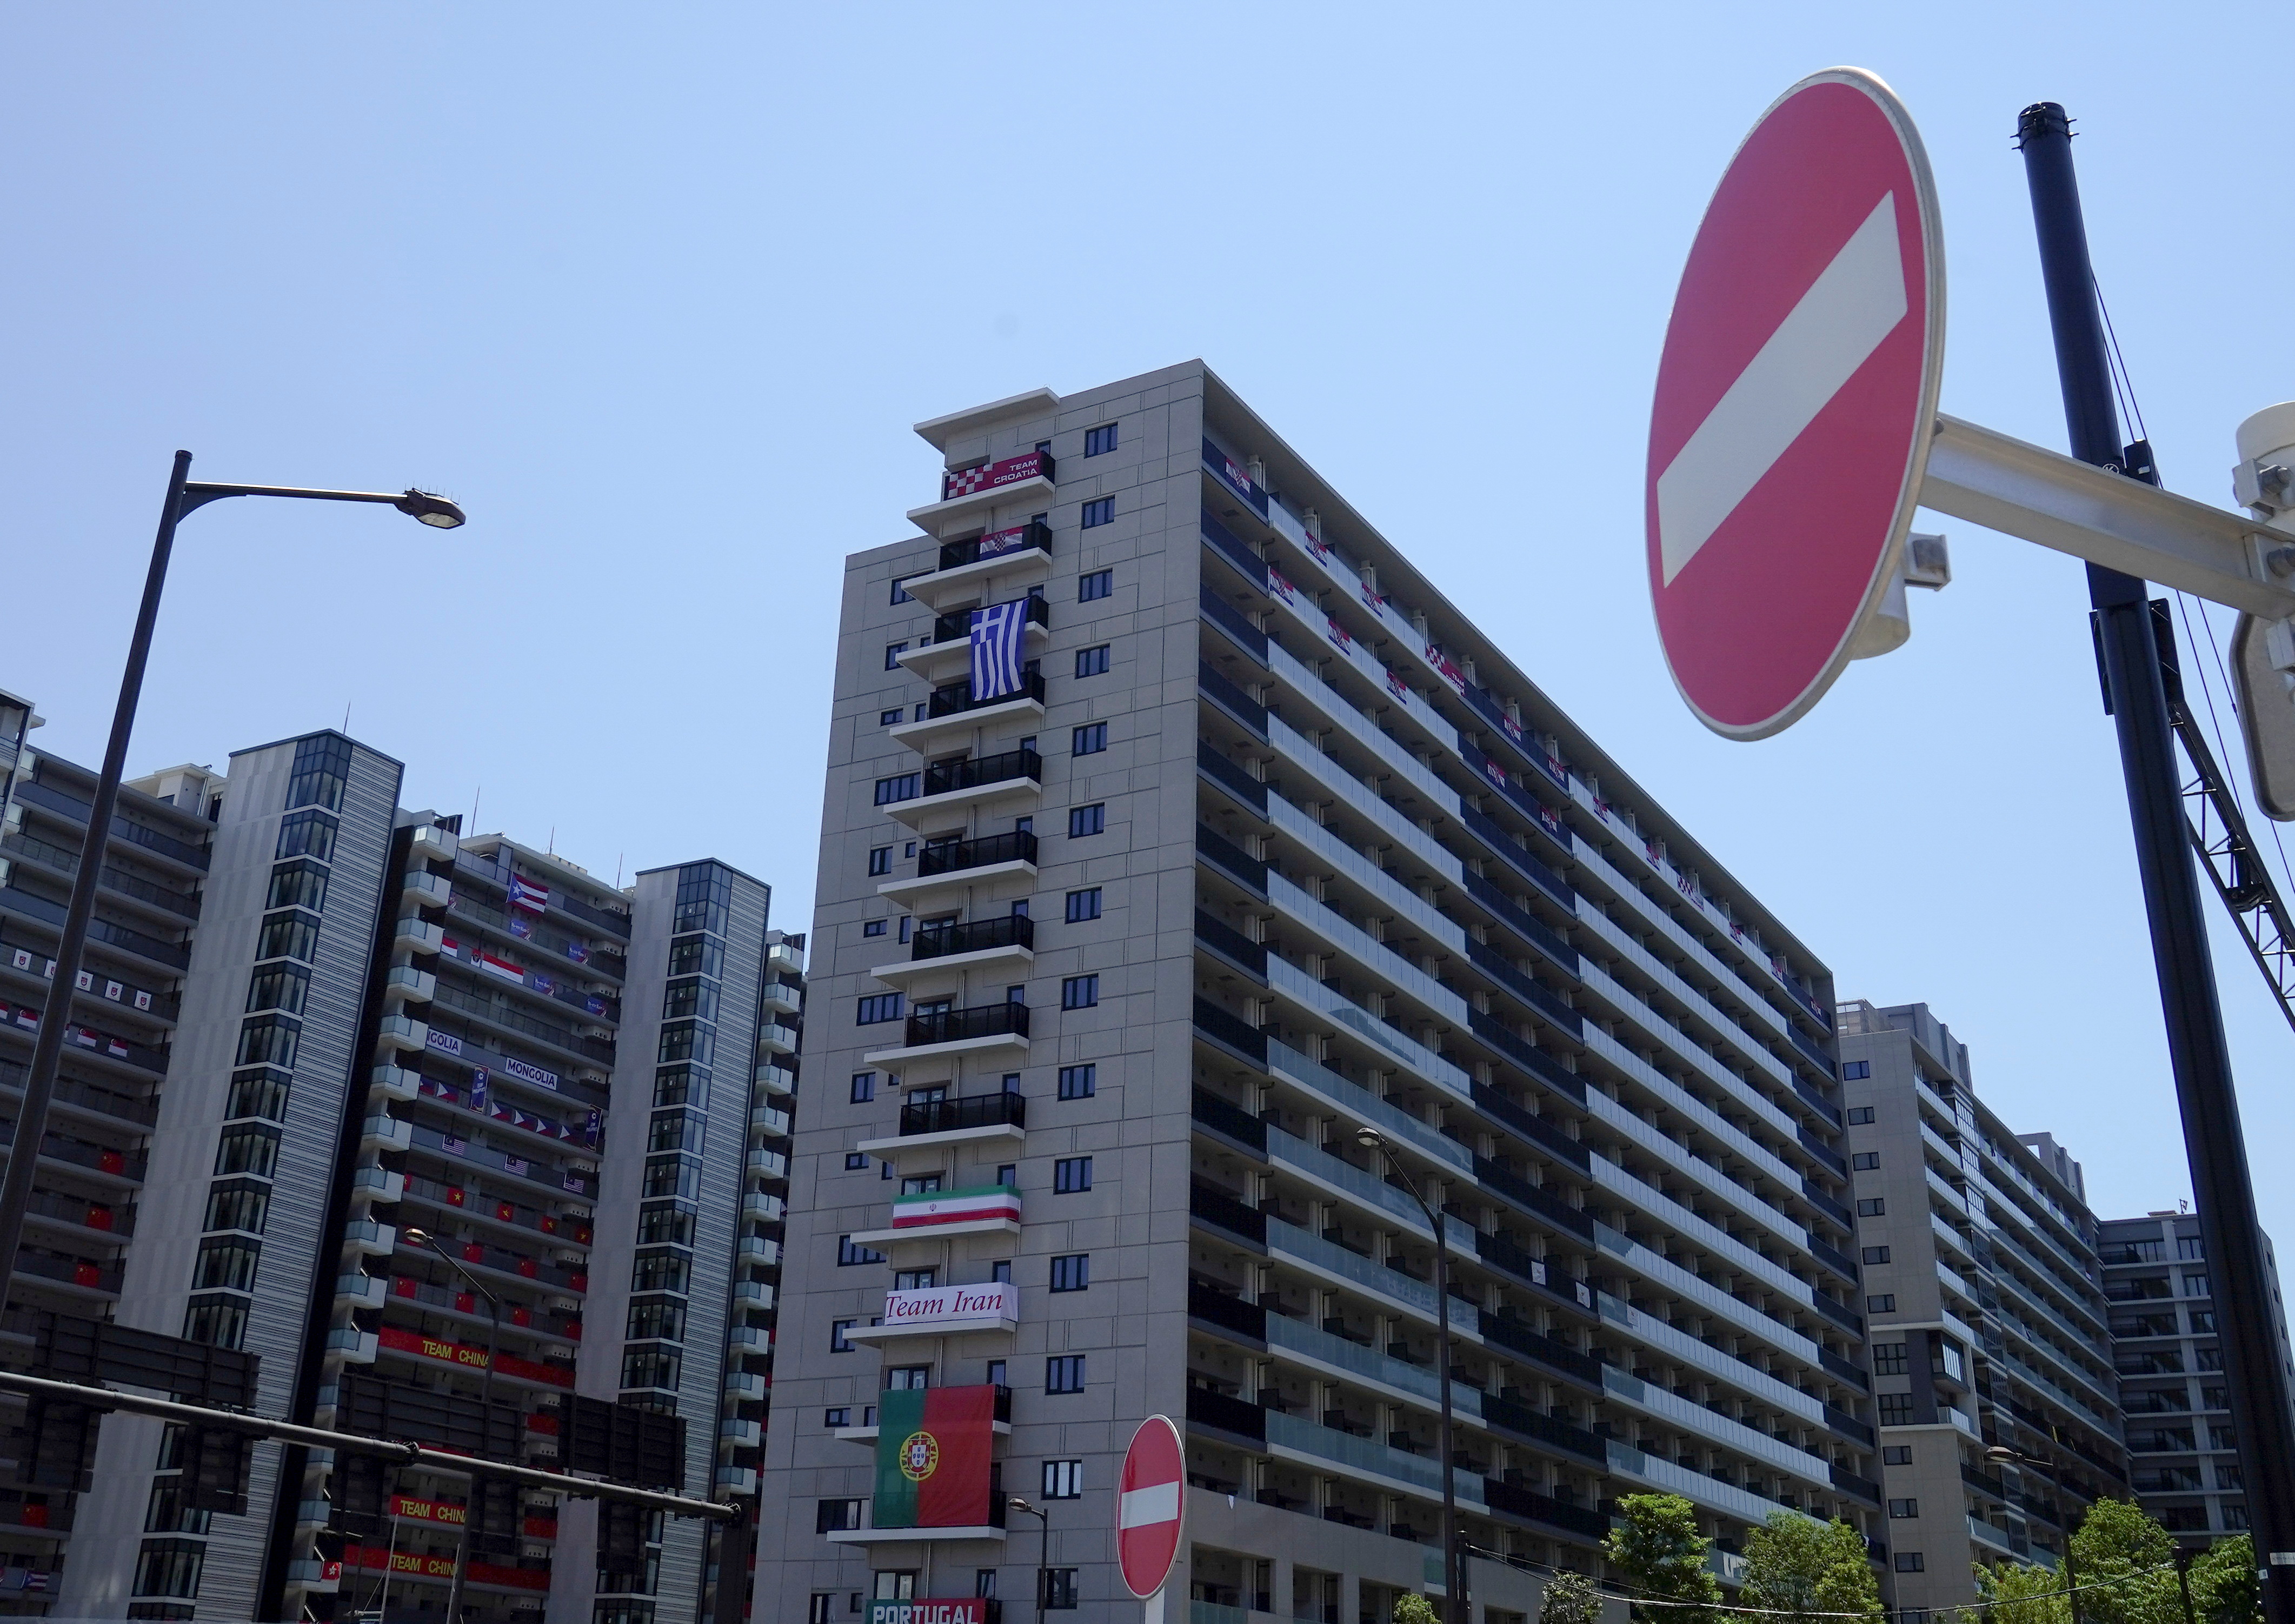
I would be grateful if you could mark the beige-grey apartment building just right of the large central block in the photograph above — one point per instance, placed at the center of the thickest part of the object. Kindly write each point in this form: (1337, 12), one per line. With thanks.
(1986, 1313)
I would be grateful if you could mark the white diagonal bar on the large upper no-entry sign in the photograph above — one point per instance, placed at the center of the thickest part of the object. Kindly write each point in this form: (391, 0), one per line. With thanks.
(1821, 343)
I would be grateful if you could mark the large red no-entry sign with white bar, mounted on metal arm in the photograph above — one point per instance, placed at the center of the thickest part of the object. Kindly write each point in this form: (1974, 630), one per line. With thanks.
(1796, 403)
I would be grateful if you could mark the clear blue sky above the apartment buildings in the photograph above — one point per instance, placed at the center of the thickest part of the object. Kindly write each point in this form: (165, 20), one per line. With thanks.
(658, 292)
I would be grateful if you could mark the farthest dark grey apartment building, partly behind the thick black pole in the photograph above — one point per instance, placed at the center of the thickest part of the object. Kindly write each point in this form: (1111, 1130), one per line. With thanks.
(2181, 1451)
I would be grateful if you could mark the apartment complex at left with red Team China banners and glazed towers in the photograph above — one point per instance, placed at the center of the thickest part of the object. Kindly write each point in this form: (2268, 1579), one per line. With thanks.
(398, 1153)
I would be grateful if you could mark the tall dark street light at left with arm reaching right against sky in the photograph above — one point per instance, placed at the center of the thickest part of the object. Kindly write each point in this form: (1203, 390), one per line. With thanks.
(40, 1084)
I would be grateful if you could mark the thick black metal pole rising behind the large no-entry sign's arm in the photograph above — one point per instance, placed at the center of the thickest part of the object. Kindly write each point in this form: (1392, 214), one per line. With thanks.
(2195, 1024)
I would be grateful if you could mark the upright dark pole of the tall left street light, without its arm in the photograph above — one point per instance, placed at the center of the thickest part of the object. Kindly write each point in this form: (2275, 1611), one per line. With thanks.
(40, 1084)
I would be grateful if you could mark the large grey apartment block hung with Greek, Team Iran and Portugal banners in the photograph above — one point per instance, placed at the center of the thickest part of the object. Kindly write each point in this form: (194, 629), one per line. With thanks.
(1266, 845)
